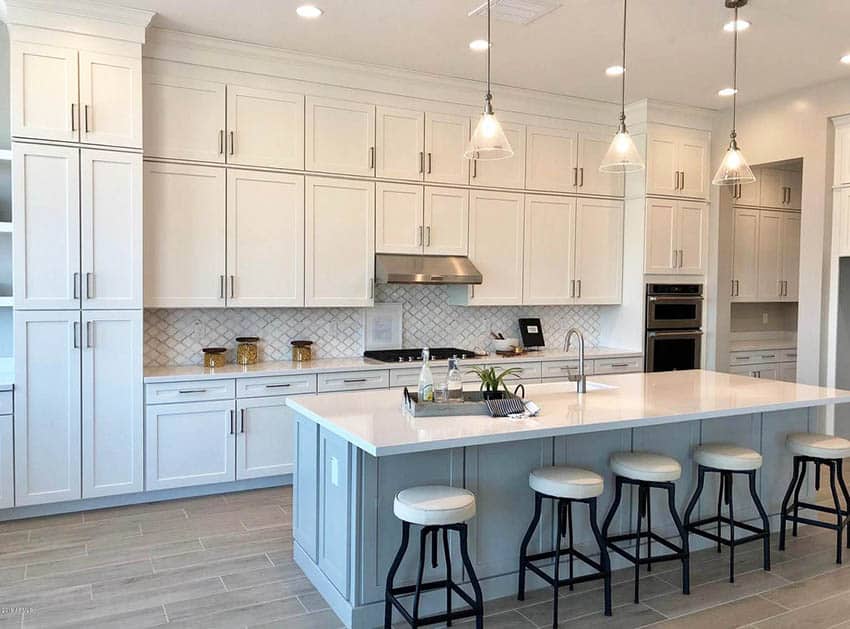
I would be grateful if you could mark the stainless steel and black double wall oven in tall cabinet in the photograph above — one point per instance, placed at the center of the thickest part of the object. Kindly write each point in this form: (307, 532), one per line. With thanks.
(673, 326)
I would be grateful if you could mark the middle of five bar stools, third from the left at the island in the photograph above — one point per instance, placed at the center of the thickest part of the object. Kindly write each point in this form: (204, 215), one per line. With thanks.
(647, 471)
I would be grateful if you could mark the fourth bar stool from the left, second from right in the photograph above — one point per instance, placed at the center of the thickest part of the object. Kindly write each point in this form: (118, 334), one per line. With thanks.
(727, 460)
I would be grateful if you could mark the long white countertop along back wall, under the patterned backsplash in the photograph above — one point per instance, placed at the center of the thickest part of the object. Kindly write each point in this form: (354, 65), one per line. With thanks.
(329, 365)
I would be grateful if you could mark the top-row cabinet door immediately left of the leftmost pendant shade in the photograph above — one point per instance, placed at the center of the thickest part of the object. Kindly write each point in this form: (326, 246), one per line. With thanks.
(446, 137)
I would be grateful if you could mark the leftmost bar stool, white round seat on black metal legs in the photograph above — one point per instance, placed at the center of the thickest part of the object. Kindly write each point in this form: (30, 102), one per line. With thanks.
(436, 509)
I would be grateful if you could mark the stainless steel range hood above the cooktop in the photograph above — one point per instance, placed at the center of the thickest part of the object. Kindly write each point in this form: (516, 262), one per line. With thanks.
(403, 269)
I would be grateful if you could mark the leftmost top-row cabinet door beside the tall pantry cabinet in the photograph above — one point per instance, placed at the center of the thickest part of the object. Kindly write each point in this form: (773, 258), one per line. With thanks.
(184, 119)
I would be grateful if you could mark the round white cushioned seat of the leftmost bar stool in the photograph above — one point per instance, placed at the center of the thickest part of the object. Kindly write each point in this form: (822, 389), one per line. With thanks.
(434, 505)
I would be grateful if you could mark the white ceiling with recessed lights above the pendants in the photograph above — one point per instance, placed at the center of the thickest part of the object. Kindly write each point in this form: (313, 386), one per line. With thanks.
(678, 51)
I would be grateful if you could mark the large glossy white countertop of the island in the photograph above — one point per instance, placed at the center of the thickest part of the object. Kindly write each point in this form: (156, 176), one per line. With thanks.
(375, 422)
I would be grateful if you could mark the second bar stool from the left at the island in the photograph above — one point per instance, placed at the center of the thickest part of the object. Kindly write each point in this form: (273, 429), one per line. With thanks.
(565, 485)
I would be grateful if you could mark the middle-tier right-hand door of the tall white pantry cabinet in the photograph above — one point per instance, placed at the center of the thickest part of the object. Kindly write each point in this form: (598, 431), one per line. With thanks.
(111, 184)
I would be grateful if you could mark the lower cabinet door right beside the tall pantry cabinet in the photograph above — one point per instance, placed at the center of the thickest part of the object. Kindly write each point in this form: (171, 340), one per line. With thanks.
(189, 444)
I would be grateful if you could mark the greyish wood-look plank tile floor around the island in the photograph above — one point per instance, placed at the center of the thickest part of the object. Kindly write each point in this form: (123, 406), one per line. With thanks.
(226, 561)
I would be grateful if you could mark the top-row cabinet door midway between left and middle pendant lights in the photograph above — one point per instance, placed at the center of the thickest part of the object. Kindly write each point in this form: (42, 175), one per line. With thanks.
(551, 160)
